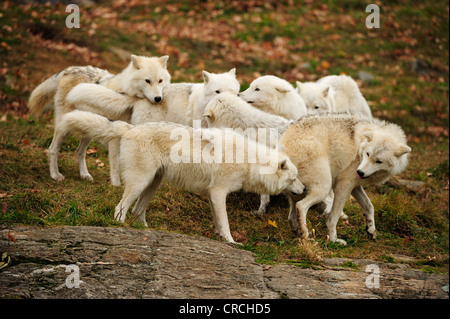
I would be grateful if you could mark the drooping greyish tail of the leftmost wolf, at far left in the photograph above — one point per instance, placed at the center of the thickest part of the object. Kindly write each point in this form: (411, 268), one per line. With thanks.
(43, 94)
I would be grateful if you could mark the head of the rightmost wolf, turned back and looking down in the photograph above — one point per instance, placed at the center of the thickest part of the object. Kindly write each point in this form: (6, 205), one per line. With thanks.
(383, 153)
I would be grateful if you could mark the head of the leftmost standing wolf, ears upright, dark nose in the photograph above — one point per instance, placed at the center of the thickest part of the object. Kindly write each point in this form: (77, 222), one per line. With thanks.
(147, 77)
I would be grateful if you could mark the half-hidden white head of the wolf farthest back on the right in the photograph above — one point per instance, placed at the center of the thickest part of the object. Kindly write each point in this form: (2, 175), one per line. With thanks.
(317, 96)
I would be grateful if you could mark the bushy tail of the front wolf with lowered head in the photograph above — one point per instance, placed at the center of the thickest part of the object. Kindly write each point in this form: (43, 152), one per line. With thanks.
(93, 125)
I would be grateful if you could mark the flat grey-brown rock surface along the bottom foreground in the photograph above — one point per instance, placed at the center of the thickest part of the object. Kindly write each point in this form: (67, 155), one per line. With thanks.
(131, 263)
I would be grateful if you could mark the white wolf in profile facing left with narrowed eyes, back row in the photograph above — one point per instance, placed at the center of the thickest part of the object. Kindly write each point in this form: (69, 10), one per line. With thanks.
(274, 95)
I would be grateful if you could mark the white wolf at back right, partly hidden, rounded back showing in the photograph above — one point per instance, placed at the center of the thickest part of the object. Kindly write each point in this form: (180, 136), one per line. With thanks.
(335, 94)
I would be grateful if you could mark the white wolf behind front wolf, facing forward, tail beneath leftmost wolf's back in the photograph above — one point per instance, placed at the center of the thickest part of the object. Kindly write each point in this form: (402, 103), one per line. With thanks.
(177, 105)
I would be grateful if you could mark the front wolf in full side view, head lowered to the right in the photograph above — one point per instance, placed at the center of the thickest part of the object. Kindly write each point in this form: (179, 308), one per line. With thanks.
(146, 157)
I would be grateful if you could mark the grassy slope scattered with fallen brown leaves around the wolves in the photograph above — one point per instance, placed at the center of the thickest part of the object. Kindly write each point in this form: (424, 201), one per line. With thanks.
(294, 40)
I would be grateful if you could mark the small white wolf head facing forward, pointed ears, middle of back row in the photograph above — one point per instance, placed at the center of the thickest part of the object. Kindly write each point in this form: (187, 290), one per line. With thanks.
(219, 83)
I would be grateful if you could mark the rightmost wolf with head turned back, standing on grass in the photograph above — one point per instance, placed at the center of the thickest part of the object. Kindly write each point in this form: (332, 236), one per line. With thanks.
(361, 152)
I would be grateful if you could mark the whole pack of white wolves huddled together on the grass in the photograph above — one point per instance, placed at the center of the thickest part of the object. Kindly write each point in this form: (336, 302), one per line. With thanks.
(324, 144)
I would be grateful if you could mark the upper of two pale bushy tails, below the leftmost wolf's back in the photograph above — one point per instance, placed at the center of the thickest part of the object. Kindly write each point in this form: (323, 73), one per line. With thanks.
(99, 99)
